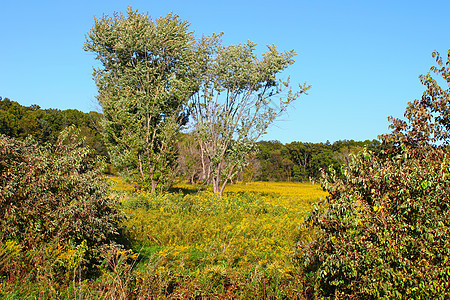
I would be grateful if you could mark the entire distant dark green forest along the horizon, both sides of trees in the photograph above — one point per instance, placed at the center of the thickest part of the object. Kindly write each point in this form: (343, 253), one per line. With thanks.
(274, 161)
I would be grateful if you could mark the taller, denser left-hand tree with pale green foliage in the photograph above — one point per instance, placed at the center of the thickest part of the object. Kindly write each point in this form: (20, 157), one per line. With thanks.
(144, 80)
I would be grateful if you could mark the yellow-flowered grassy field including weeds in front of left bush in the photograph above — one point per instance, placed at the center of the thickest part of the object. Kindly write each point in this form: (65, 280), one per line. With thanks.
(185, 244)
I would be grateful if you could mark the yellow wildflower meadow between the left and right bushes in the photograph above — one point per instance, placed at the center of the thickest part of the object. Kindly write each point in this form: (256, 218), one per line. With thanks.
(190, 243)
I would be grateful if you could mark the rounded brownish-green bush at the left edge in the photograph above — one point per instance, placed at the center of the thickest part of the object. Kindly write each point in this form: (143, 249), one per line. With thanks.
(54, 209)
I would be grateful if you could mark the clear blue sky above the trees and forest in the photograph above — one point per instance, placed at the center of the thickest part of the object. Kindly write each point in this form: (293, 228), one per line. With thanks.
(362, 58)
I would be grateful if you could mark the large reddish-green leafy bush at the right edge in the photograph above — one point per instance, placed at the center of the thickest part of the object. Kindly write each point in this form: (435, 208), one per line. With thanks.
(383, 231)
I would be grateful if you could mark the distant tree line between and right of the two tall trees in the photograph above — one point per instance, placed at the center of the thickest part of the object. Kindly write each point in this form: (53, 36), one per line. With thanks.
(275, 161)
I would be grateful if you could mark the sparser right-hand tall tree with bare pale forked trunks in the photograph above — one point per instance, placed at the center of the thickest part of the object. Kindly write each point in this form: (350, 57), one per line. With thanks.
(239, 97)
